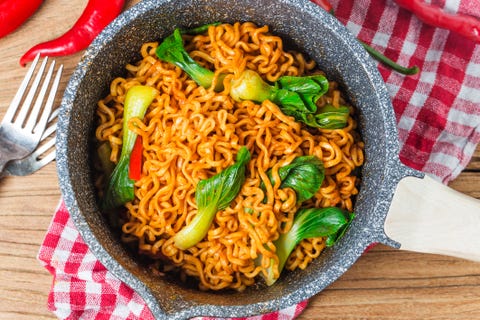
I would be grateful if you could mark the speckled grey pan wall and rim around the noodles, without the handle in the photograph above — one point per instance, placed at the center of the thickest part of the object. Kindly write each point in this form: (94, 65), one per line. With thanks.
(309, 29)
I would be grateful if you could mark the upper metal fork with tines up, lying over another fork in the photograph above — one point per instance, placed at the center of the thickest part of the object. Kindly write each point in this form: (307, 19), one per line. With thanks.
(20, 136)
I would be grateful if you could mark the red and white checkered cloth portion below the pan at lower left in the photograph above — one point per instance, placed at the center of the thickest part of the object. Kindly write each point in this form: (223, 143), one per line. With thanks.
(84, 289)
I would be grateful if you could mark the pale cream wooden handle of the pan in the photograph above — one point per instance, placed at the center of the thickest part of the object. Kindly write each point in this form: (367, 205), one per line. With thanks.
(427, 216)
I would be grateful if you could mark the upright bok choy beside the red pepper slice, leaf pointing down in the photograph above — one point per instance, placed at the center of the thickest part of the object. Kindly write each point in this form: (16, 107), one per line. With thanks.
(120, 187)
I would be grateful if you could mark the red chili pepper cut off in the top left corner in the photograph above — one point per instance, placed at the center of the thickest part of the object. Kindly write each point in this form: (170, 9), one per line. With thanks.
(13, 13)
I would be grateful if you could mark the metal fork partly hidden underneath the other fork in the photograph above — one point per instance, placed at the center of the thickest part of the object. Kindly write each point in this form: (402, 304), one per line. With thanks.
(42, 156)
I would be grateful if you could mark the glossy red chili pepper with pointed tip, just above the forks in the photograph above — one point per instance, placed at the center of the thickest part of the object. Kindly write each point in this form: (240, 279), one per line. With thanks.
(96, 16)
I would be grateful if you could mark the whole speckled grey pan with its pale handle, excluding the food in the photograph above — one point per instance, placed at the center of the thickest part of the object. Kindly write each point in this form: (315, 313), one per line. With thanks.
(396, 205)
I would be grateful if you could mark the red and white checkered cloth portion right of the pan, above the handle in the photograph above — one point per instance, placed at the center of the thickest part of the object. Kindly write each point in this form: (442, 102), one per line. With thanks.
(438, 110)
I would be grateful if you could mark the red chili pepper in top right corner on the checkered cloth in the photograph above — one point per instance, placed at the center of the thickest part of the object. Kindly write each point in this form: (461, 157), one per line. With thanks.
(465, 25)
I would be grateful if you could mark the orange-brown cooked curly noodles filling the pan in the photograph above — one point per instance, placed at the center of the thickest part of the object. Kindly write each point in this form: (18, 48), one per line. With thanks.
(190, 133)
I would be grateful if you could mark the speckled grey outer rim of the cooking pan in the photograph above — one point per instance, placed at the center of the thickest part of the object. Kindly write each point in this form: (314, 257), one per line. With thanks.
(64, 165)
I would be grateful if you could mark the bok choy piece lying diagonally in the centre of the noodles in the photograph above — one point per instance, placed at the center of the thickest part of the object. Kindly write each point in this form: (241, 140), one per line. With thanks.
(212, 195)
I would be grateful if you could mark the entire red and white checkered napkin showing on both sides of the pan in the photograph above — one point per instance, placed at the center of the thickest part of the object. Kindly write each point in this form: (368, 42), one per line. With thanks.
(438, 116)
